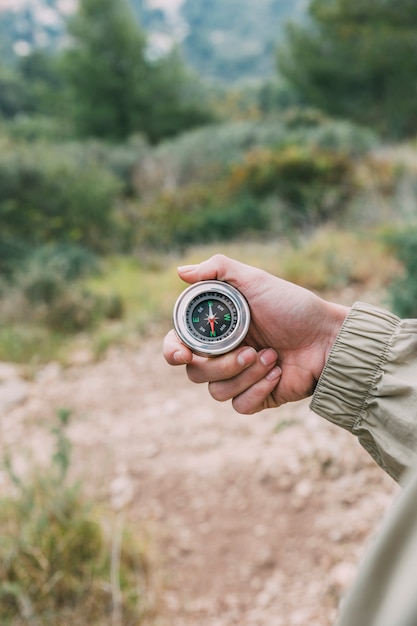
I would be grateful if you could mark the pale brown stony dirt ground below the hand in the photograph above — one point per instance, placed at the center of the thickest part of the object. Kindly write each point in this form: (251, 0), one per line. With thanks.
(257, 520)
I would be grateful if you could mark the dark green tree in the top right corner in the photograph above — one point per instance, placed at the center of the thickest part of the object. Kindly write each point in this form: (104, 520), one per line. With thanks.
(357, 59)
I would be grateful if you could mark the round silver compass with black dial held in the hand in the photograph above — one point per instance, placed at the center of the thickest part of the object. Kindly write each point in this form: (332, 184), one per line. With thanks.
(211, 317)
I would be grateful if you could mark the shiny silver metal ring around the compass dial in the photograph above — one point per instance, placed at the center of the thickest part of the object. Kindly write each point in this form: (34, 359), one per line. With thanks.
(222, 344)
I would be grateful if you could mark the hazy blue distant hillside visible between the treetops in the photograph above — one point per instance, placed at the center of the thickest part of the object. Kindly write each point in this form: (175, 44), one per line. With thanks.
(226, 41)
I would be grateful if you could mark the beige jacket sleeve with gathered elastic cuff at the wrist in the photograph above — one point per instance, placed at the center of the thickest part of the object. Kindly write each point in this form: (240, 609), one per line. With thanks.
(369, 385)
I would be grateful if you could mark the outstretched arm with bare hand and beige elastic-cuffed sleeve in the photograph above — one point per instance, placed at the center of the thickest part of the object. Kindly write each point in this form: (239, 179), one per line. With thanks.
(360, 363)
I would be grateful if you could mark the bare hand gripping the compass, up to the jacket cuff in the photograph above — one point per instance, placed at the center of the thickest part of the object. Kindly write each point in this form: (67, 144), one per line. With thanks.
(290, 336)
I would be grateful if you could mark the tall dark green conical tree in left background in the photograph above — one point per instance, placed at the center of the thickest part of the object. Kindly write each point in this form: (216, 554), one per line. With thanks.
(106, 69)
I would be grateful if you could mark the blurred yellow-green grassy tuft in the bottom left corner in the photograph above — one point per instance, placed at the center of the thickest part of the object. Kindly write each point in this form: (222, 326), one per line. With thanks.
(56, 562)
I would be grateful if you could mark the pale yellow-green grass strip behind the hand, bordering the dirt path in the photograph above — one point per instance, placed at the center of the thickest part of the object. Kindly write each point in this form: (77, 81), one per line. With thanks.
(329, 259)
